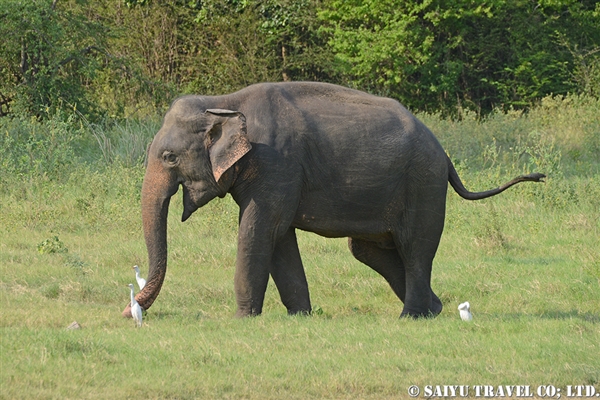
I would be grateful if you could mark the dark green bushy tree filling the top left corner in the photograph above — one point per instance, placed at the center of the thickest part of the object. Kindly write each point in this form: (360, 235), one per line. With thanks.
(47, 55)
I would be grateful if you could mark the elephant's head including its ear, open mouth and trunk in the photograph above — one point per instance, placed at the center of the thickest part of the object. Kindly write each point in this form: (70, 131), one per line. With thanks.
(195, 149)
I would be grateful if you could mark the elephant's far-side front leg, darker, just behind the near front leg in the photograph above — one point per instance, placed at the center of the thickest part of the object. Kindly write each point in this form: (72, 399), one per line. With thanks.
(288, 274)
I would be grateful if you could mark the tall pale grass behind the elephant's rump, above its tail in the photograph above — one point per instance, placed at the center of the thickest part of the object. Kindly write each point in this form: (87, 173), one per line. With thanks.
(560, 135)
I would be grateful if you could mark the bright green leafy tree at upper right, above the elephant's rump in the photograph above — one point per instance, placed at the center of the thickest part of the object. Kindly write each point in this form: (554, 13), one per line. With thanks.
(439, 54)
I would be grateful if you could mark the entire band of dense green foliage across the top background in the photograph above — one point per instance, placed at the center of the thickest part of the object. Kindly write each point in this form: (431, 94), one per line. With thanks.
(130, 57)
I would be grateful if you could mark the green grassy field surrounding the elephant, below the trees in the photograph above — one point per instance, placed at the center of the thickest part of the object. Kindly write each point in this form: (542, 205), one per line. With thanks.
(528, 261)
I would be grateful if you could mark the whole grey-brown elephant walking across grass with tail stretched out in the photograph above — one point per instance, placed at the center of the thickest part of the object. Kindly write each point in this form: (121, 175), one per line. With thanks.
(311, 156)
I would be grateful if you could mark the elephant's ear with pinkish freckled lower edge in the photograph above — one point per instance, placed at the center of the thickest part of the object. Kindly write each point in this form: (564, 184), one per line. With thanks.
(227, 140)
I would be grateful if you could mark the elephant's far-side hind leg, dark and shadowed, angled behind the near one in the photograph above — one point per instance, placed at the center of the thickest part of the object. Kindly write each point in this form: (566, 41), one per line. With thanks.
(386, 262)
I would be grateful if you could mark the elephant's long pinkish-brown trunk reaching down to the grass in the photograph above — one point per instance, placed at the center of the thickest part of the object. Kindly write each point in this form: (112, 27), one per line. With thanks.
(158, 187)
